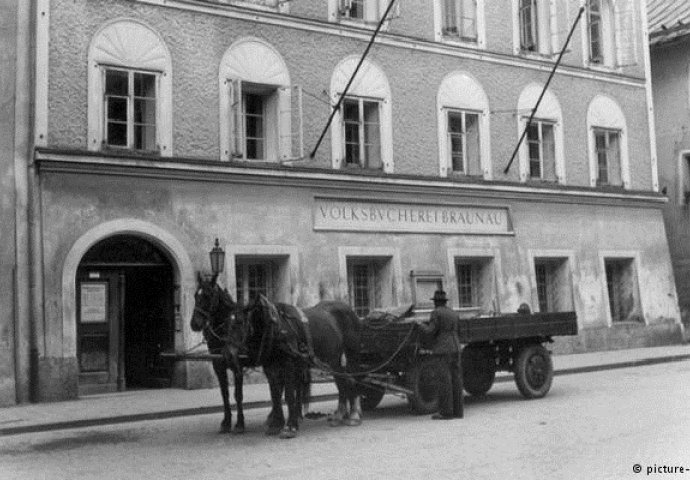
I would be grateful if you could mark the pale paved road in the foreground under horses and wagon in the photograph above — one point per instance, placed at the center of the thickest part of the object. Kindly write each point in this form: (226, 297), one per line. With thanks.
(591, 426)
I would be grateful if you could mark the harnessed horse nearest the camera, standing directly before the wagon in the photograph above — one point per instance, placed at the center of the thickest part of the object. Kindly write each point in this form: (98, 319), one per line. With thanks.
(325, 336)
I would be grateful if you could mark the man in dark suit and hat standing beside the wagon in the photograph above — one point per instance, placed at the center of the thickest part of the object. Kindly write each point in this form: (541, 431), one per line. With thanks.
(443, 329)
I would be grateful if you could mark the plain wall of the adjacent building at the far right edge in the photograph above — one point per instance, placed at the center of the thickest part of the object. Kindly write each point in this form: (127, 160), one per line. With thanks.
(671, 81)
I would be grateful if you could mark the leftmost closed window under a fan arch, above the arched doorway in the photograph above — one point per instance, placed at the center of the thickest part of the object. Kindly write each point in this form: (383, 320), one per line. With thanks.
(130, 106)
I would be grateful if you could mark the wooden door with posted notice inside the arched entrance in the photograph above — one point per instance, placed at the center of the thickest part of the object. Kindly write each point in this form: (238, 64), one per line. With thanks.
(100, 305)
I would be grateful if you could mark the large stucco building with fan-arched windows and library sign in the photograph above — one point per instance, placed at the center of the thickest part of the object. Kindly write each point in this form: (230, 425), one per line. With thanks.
(160, 126)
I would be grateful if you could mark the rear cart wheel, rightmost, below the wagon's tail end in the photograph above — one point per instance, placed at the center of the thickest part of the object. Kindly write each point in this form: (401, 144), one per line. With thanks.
(534, 371)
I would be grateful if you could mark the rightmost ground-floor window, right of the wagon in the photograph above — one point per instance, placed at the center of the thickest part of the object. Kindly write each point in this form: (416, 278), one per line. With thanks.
(621, 286)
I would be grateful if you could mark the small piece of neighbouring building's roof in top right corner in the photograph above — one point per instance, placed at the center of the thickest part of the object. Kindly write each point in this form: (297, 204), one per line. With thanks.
(668, 20)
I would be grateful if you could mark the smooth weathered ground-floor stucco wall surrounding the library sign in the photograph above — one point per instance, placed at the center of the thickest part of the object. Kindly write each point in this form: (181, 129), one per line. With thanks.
(268, 215)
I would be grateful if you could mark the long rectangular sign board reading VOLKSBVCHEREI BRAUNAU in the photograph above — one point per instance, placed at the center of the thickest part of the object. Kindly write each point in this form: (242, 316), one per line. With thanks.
(374, 216)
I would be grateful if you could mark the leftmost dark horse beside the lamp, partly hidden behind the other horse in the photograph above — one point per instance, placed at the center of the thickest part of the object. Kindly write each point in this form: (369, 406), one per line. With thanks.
(214, 313)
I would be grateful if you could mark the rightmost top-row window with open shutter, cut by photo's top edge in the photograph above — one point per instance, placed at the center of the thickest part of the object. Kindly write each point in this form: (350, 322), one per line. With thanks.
(611, 33)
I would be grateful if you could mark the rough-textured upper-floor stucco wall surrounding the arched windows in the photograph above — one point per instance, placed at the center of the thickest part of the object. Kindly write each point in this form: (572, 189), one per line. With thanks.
(414, 77)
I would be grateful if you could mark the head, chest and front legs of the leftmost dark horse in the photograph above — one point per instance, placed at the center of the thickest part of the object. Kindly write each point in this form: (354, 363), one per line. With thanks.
(214, 310)
